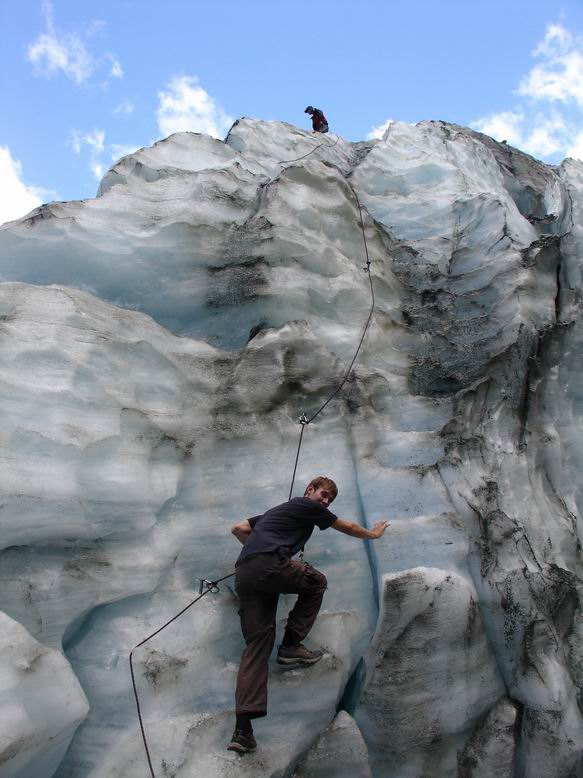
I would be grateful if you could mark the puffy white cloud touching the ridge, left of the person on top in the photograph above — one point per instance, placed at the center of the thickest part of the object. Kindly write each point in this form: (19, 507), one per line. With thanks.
(187, 106)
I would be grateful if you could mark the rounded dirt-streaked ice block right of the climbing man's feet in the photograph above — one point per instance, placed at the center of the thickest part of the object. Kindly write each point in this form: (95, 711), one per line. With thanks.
(431, 673)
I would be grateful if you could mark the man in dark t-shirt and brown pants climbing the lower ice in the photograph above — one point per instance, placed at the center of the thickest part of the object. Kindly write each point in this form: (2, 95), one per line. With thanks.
(264, 570)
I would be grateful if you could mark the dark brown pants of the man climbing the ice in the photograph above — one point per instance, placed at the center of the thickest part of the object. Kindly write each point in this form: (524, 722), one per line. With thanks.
(259, 582)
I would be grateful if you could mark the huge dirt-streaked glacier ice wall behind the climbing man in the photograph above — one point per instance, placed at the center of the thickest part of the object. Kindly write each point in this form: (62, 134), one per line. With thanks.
(159, 343)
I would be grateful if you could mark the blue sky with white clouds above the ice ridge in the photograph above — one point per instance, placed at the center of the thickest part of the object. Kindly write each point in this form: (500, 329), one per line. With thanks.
(83, 82)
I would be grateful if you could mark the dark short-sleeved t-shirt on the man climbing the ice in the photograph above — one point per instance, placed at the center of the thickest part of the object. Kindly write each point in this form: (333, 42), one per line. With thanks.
(286, 528)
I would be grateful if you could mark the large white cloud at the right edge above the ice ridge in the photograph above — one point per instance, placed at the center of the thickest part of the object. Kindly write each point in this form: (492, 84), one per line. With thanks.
(547, 120)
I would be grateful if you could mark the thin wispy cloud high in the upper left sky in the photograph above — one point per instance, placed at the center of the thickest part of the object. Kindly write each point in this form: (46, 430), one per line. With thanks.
(55, 51)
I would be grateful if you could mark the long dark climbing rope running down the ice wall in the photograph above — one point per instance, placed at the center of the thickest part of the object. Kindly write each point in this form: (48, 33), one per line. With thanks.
(206, 586)
